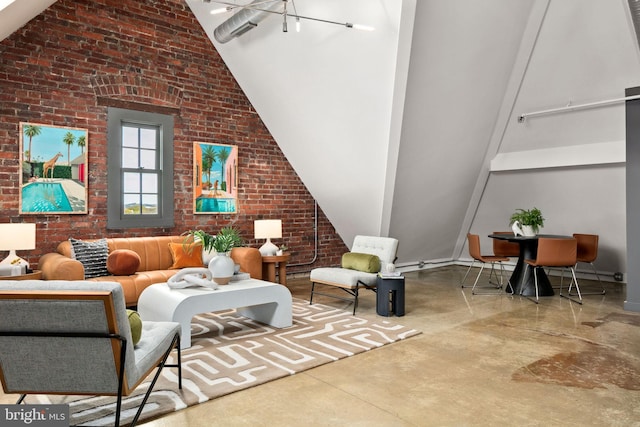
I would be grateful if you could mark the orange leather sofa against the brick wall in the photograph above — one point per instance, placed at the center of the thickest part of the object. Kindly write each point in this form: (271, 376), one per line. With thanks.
(155, 262)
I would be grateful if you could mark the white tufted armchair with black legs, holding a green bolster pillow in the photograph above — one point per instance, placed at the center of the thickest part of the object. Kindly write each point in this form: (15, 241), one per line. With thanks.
(351, 280)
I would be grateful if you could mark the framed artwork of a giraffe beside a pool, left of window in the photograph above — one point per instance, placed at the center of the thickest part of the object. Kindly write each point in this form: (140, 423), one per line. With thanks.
(53, 169)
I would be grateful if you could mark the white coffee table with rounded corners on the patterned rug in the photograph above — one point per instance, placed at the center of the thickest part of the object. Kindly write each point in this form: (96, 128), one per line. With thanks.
(265, 302)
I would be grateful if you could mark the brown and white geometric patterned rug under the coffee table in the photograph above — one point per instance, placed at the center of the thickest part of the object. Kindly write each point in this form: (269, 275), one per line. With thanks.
(230, 353)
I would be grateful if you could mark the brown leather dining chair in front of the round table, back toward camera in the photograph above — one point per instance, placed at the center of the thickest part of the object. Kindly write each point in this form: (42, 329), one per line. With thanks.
(556, 253)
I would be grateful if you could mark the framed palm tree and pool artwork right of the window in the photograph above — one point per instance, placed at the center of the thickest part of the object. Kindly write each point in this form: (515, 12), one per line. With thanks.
(215, 178)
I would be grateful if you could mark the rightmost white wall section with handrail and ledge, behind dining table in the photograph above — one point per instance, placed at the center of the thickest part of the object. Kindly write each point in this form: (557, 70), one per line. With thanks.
(570, 164)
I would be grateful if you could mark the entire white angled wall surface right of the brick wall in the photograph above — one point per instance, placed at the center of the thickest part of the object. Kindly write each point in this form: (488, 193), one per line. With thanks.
(432, 150)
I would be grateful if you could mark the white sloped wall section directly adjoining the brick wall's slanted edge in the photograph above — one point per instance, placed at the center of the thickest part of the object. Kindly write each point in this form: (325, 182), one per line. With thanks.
(327, 96)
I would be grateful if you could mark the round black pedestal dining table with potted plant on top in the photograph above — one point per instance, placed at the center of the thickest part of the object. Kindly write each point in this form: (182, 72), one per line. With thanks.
(528, 250)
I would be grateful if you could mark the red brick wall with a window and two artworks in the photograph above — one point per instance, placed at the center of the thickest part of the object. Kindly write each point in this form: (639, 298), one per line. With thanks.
(68, 64)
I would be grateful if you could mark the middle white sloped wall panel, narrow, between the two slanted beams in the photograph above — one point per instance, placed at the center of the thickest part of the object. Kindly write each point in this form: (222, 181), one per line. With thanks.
(462, 56)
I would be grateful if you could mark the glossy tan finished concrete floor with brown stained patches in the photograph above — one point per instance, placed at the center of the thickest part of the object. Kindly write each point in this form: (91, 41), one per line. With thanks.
(480, 361)
